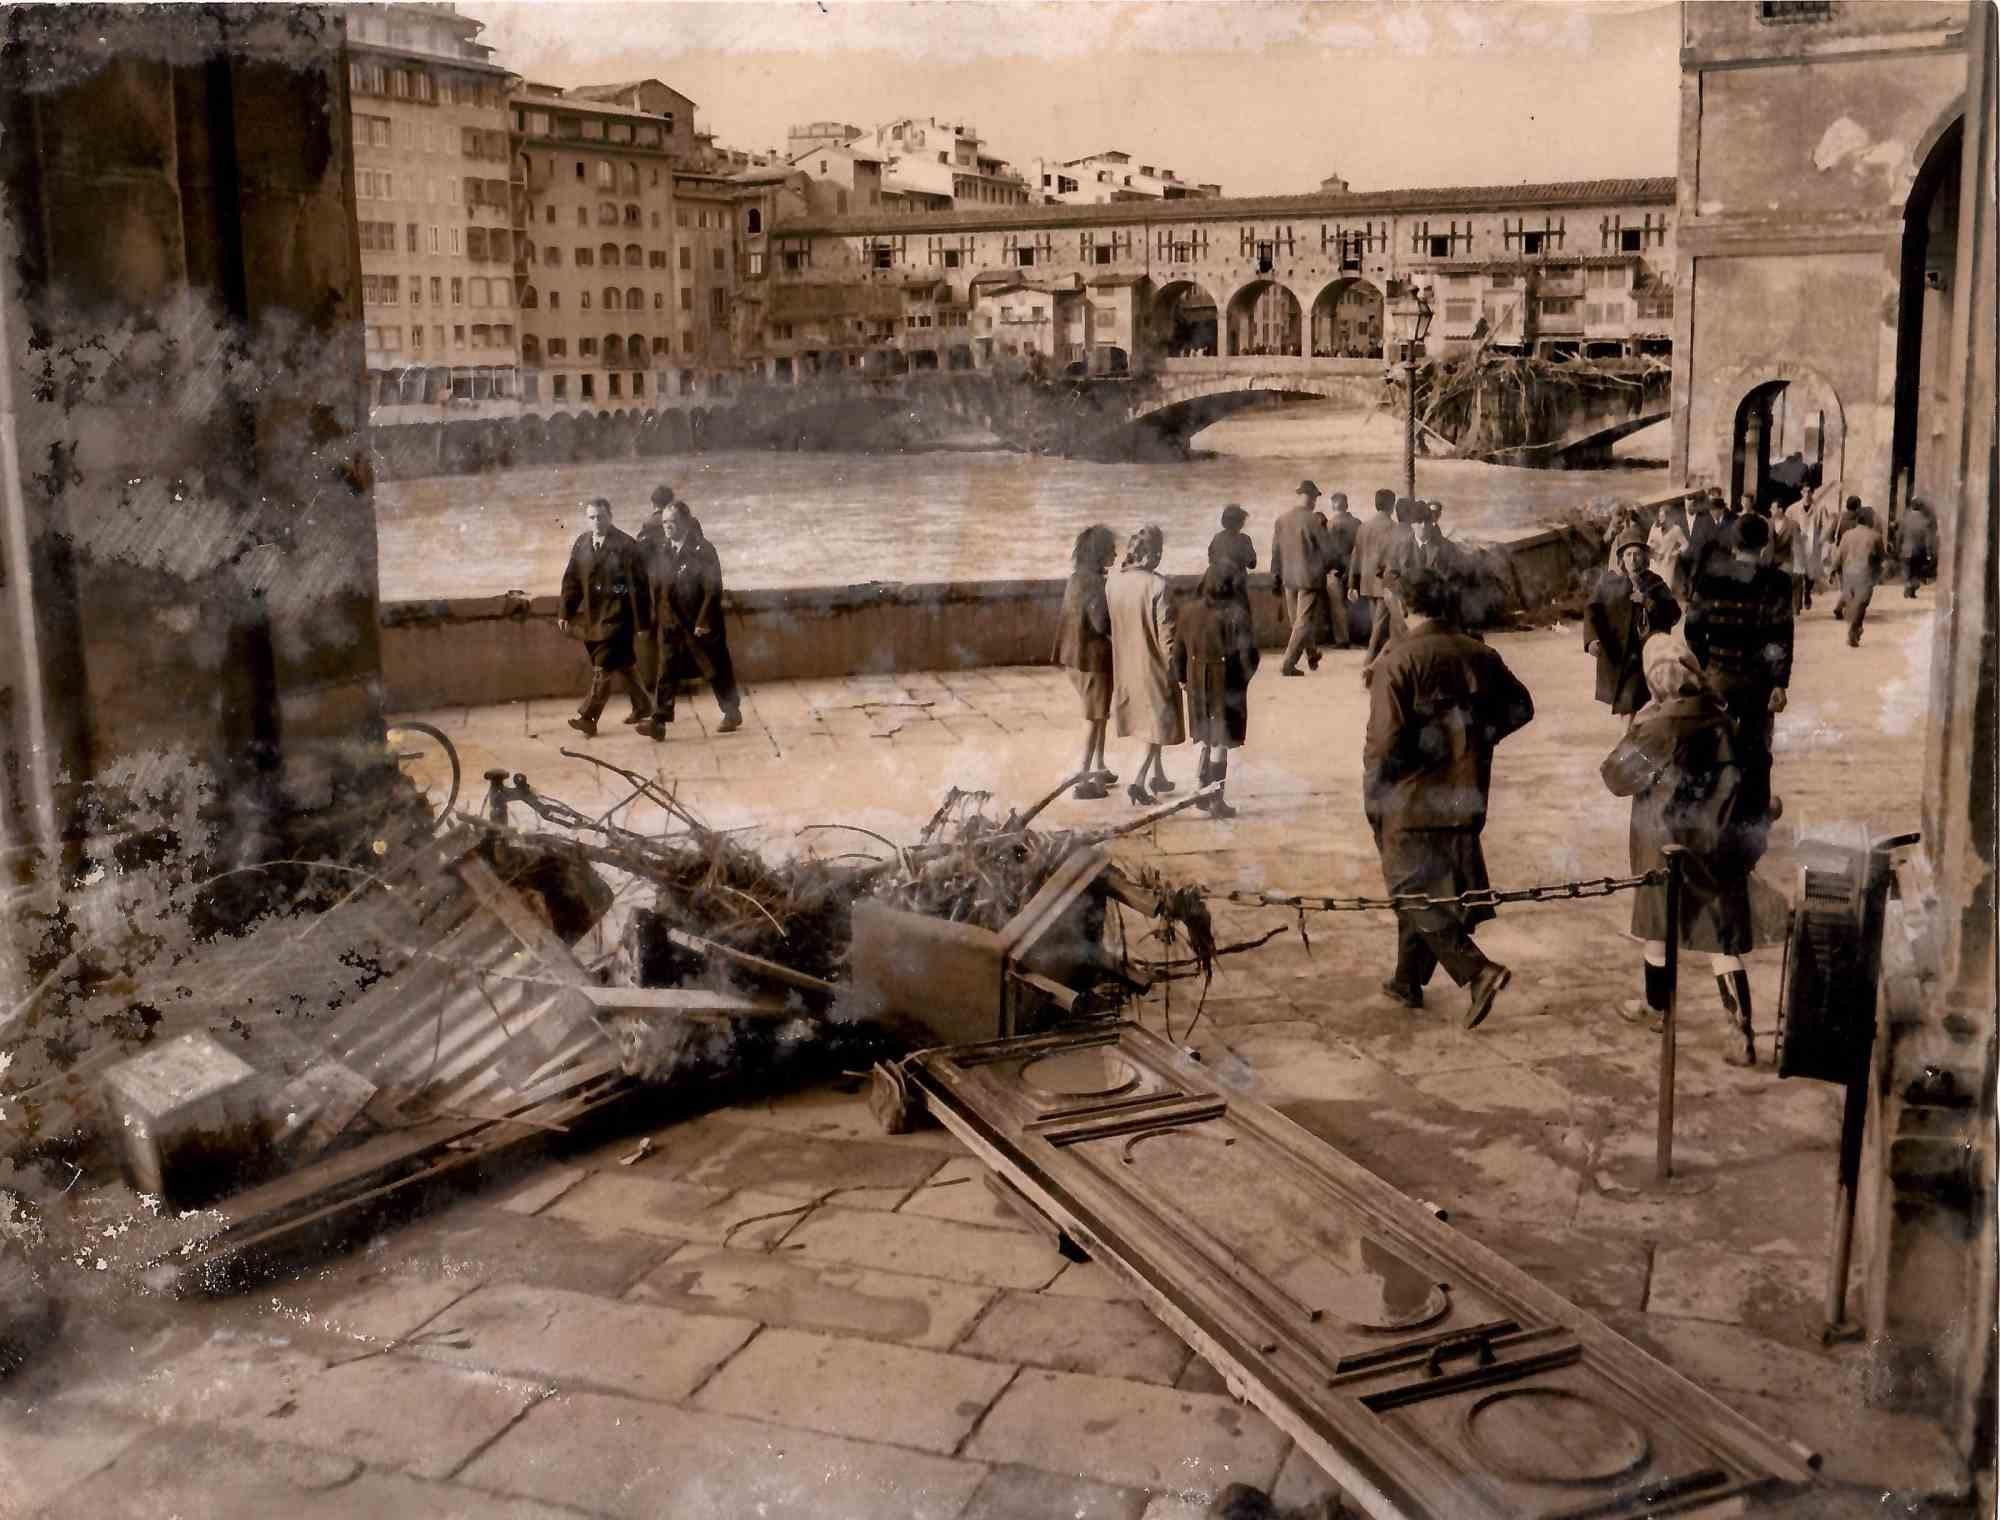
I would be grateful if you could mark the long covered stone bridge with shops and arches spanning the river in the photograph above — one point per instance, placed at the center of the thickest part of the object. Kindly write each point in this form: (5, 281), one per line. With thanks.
(1223, 303)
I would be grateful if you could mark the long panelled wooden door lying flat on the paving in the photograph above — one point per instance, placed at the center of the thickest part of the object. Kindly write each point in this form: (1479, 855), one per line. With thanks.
(1425, 1375)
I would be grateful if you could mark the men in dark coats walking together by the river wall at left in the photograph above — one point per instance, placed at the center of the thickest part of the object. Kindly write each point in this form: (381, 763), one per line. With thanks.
(663, 583)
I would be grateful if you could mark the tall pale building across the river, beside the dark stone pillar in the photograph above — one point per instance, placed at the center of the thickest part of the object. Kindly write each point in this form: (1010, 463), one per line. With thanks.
(435, 211)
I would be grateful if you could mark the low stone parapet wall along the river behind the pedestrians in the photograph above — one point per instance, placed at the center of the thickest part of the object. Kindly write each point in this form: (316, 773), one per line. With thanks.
(507, 649)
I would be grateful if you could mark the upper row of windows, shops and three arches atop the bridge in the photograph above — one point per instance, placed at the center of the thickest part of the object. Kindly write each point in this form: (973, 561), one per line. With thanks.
(1553, 269)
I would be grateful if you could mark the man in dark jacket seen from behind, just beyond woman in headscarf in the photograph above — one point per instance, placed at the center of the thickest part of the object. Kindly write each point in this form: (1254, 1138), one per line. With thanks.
(1739, 627)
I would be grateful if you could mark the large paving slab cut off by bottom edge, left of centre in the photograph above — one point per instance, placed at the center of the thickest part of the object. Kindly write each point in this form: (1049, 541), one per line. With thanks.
(641, 1461)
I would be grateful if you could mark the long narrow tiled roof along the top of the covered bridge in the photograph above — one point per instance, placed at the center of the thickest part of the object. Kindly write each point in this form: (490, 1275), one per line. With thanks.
(1317, 203)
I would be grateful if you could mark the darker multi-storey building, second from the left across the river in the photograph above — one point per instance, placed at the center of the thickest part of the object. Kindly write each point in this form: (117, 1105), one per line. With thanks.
(599, 281)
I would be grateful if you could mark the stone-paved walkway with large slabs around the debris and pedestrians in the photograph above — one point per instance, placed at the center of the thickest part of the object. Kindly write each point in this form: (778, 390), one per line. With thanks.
(783, 1313)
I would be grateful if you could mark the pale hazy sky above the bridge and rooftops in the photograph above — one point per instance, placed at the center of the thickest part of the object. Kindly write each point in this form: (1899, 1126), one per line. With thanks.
(1261, 97)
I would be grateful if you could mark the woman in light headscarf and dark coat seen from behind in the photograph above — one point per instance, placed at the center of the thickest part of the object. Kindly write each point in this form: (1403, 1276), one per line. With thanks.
(1687, 787)
